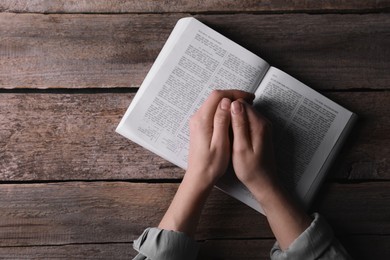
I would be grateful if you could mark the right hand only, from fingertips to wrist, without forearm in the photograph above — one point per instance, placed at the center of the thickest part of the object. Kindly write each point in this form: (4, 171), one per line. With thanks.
(253, 155)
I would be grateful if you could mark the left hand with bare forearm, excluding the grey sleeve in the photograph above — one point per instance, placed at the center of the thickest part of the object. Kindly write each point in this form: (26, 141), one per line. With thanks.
(209, 156)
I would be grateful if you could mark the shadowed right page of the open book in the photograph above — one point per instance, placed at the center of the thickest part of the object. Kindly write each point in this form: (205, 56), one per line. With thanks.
(306, 128)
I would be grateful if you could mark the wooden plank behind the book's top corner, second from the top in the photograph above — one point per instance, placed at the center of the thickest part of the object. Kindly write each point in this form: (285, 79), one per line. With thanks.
(330, 51)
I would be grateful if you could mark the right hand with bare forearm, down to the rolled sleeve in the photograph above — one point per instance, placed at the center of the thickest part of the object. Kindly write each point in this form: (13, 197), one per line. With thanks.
(254, 164)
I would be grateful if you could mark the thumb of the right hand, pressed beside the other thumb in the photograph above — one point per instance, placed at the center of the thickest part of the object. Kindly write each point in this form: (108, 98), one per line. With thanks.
(242, 139)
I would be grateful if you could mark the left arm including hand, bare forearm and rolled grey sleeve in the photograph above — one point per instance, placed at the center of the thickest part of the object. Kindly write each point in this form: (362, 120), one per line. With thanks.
(209, 156)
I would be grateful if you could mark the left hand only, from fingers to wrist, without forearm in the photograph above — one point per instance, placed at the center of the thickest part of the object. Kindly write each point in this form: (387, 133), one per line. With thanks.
(209, 153)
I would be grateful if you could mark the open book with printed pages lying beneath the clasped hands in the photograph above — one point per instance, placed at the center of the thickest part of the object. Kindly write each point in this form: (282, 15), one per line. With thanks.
(308, 127)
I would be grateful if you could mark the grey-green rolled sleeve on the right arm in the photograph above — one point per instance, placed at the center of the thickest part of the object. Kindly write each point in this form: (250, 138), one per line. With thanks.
(316, 242)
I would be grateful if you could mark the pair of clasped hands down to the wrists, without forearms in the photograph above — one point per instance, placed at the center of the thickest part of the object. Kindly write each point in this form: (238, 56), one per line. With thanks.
(212, 148)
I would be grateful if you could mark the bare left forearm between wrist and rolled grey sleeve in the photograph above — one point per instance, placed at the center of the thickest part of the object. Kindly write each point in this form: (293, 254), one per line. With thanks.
(184, 212)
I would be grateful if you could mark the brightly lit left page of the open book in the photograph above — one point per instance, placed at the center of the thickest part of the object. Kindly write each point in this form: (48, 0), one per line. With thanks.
(194, 61)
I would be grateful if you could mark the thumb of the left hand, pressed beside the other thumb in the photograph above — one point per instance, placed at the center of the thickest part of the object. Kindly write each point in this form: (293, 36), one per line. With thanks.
(220, 136)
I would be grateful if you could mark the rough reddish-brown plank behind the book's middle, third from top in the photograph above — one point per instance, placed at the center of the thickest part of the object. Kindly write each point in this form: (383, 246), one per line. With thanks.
(72, 137)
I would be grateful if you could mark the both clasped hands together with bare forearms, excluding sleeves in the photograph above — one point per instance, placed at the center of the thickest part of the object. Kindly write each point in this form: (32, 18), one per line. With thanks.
(225, 129)
